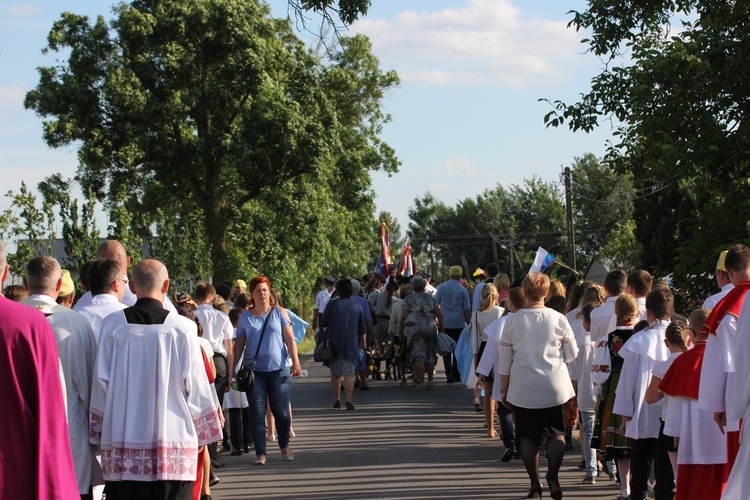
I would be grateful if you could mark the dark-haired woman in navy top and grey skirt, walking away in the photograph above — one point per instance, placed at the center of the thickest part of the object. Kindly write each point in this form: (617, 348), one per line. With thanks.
(346, 333)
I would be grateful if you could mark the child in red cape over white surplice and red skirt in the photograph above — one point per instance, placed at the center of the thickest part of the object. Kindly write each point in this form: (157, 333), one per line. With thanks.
(702, 450)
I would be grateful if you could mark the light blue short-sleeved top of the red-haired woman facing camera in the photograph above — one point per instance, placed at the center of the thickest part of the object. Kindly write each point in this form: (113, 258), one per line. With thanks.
(272, 355)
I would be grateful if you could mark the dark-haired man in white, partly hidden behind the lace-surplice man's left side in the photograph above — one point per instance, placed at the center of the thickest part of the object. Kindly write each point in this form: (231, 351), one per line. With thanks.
(107, 287)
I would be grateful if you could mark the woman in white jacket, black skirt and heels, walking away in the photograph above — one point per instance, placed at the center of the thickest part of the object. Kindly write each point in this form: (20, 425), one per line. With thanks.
(535, 346)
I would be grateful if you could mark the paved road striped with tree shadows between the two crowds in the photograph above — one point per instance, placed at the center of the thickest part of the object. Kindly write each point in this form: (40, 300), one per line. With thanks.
(397, 443)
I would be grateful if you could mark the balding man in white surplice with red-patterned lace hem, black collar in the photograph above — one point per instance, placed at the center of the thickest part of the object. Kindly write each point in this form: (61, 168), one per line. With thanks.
(173, 411)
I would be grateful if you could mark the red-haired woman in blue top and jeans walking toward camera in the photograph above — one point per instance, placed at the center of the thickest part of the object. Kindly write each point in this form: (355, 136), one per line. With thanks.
(265, 337)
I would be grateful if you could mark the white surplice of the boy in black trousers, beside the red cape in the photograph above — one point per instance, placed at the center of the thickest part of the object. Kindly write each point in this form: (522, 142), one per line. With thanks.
(640, 354)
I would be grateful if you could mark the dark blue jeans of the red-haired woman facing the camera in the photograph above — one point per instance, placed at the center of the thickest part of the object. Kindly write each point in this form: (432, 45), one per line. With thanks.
(274, 387)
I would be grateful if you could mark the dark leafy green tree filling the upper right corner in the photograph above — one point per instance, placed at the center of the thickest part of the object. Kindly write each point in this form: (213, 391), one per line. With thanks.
(679, 99)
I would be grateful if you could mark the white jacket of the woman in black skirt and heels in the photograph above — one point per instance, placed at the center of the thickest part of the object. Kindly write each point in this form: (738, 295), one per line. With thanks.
(535, 346)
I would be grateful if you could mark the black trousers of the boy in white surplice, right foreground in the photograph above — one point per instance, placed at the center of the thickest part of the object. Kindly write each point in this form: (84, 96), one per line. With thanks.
(647, 453)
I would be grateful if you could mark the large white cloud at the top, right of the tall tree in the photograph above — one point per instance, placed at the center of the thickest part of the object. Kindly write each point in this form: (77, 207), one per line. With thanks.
(483, 42)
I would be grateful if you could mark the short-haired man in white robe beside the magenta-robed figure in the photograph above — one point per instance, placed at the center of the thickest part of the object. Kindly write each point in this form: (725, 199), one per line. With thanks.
(76, 347)
